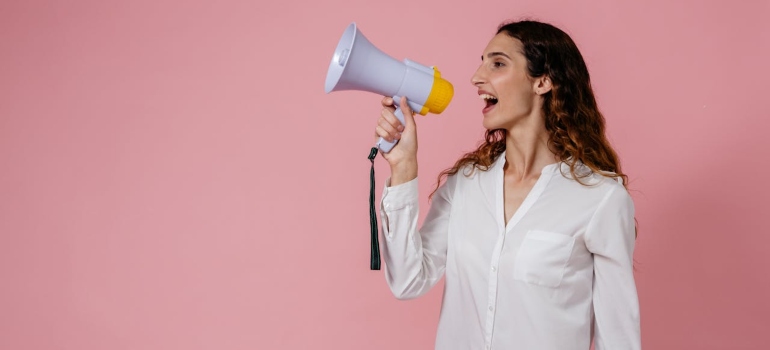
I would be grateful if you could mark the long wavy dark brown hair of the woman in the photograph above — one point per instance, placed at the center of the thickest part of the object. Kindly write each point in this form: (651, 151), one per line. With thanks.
(572, 119)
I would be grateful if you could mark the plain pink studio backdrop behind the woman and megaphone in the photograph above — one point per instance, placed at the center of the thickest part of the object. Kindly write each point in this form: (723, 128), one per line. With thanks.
(173, 176)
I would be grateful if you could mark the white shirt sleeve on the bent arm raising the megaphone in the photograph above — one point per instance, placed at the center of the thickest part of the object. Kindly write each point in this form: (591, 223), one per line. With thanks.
(415, 260)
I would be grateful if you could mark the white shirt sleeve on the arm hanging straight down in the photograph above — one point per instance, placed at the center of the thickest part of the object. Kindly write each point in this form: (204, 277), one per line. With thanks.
(611, 237)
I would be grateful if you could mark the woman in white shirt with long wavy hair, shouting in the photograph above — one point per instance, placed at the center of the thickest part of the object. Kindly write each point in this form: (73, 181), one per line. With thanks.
(534, 230)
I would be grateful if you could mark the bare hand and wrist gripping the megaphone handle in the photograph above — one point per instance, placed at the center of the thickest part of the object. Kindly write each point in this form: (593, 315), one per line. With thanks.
(403, 157)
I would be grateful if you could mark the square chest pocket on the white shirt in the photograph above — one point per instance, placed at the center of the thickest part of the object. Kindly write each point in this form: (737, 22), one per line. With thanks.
(542, 258)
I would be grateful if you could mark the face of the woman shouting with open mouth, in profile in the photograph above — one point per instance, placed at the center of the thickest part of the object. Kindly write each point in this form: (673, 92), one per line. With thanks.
(508, 92)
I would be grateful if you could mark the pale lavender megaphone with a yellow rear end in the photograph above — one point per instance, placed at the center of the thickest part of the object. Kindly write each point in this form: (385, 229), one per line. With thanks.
(359, 65)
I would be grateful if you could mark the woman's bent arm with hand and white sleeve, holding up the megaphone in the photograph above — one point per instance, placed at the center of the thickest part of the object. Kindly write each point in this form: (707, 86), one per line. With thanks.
(415, 259)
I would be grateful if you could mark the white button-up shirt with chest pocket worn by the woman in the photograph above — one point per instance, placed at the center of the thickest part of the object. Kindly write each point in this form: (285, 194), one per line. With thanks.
(559, 273)
